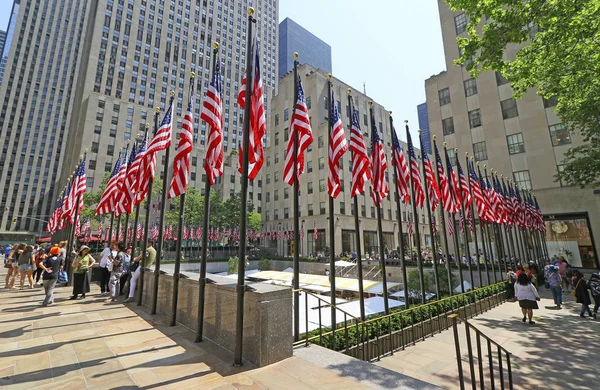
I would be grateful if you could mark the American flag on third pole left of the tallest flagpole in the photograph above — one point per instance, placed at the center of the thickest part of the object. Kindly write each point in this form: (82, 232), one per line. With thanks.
(160, 141)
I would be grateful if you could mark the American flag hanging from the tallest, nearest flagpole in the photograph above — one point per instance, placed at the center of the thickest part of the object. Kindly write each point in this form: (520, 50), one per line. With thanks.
(258, 126)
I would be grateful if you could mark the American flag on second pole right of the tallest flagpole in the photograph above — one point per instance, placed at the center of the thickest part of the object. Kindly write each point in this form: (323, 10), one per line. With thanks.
(338, 145)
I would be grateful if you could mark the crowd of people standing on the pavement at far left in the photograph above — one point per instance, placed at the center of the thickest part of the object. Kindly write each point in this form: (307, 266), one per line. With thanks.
(26, 263)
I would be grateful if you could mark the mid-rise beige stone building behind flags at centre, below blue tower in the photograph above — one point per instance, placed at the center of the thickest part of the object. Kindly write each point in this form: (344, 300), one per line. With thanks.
(277, 195)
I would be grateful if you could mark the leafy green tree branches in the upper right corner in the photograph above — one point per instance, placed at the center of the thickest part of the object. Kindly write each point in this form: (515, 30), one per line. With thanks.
(557, 52)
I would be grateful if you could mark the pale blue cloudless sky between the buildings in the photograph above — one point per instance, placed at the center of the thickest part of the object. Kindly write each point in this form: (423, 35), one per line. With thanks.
(390, 45)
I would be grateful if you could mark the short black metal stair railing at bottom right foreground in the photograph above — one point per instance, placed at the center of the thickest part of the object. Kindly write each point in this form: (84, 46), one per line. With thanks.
(493, 364)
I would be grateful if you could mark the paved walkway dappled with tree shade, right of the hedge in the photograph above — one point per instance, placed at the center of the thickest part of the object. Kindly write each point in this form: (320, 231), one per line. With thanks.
(560, 351)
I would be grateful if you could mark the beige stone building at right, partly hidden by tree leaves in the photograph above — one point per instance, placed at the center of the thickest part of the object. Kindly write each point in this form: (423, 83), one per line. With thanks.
(523, 140)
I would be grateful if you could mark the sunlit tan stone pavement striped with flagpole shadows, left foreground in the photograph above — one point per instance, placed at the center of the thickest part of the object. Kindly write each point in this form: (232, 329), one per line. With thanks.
(90, 343)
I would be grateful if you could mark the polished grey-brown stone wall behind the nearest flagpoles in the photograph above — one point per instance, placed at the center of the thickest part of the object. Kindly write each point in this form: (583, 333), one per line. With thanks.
(267, 314)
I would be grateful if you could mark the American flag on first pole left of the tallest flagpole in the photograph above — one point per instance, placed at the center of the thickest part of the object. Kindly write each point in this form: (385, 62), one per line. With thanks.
(212, 115)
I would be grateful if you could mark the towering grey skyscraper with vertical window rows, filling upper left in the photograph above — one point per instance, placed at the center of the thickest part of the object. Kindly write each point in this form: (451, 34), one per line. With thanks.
(89, 74)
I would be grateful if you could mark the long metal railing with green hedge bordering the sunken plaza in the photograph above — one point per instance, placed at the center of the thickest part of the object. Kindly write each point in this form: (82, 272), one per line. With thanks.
(382, 336)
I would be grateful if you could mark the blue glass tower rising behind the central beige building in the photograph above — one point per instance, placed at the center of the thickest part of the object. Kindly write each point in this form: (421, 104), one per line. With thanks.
(295, 38)
